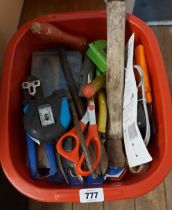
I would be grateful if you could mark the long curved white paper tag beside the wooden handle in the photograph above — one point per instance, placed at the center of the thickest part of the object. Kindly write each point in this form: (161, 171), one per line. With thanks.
(136, 151)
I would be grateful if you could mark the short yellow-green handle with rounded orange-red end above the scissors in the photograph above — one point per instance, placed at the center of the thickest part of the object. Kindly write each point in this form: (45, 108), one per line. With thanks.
(89, 90)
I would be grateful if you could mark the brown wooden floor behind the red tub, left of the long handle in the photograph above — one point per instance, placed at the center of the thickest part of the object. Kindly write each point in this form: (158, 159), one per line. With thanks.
(35, 8)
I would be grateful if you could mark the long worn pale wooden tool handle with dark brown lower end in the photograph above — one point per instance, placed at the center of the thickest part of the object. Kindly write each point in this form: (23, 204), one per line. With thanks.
(116, 15)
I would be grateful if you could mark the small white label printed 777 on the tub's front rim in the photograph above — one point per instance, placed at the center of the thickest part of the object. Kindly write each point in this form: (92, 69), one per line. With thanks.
(91, 195)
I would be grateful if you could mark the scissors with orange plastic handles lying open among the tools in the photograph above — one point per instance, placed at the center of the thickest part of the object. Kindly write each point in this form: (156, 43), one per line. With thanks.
(91, 137)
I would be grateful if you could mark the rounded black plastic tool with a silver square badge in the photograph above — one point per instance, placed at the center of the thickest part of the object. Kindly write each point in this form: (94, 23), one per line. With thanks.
(42, 121)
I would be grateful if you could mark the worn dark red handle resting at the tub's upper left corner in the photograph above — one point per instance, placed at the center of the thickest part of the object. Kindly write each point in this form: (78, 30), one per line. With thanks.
(51, 33)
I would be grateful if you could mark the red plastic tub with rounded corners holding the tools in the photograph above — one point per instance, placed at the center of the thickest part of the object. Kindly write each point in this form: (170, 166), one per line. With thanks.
(16, 67)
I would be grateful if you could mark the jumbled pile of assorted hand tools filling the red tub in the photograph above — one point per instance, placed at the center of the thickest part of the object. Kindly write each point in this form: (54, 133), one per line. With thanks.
(69, 115)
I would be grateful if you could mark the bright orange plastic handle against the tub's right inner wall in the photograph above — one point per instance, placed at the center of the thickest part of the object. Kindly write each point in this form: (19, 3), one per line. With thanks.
(140, 59)
